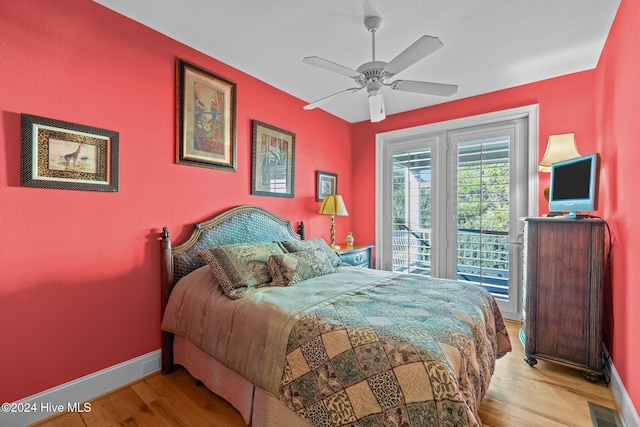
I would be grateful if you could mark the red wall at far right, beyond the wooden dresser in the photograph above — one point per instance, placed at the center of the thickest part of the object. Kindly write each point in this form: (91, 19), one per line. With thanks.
(618, 132)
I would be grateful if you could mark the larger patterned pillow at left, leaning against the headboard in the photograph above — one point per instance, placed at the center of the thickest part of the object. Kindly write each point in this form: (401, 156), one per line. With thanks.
(241, 267)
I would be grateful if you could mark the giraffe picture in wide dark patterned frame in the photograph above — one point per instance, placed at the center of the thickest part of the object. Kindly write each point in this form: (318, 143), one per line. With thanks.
(64, 155)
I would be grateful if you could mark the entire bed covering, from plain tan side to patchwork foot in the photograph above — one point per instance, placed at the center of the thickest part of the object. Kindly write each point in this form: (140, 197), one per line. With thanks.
(358, 347)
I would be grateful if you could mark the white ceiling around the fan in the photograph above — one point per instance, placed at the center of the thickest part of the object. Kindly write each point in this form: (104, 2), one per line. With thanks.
(488, 44)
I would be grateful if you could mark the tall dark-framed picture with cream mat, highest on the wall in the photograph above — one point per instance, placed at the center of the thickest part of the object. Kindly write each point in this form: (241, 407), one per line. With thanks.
(206, 118)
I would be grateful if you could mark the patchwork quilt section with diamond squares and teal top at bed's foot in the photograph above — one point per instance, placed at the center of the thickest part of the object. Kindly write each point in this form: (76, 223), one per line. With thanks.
(403, 352)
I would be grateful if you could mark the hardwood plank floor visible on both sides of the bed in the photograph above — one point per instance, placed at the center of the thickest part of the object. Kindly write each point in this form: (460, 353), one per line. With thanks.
(547, 395)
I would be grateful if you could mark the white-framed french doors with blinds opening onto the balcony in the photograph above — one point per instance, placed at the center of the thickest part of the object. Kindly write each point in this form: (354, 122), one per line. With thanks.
(450, 201)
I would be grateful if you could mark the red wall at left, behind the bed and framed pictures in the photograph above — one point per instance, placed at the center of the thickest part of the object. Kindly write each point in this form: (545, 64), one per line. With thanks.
(79, 283)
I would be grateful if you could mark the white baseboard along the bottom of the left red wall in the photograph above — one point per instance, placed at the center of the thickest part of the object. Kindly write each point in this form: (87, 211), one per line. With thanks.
(73, 396)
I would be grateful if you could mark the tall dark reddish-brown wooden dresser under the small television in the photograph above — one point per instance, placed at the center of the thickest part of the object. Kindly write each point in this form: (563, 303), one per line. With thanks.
(563, 280)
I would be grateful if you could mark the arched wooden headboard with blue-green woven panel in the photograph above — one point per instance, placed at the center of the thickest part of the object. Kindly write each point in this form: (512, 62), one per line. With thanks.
(242, 224)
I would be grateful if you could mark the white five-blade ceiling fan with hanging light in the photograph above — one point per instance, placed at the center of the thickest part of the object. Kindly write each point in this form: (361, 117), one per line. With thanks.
(374, 75)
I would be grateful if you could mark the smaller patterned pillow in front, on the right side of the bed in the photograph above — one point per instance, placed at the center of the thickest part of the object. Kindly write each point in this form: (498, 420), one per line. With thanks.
(292, 268)
